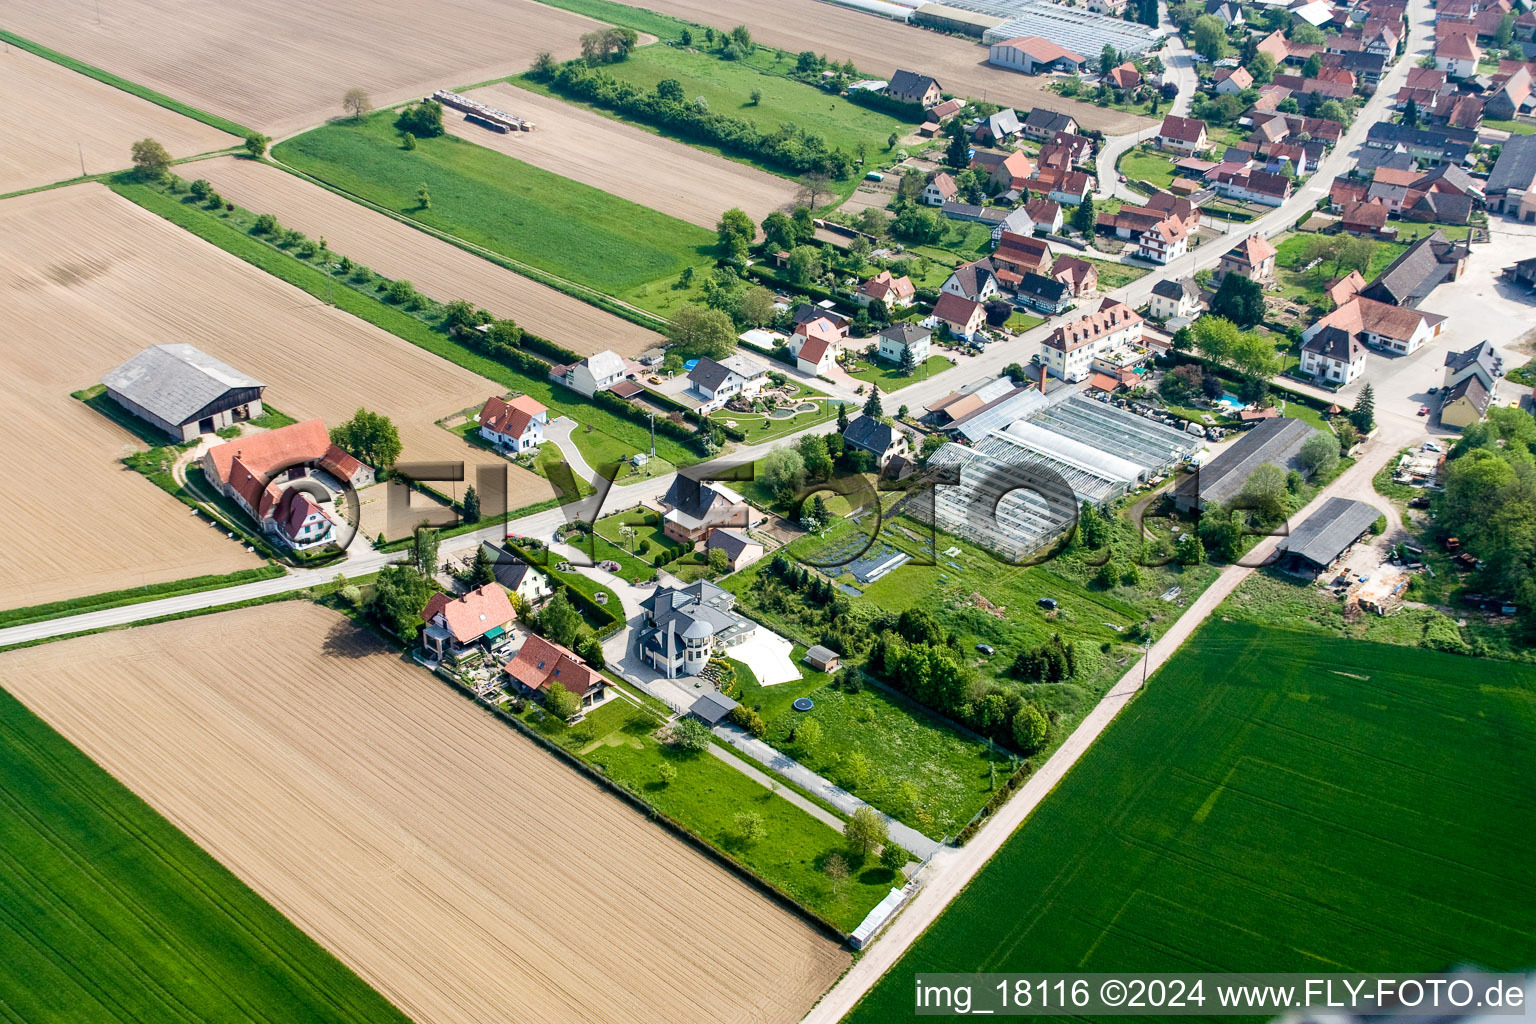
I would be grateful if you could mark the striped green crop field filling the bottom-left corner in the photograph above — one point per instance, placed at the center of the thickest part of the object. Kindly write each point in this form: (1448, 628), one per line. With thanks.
(110, 914)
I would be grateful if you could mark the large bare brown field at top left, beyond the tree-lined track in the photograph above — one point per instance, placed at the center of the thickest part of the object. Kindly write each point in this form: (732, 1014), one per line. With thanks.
(280, 67)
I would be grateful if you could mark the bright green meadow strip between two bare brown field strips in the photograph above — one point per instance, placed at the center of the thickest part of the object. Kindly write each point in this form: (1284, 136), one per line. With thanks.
(523, 213)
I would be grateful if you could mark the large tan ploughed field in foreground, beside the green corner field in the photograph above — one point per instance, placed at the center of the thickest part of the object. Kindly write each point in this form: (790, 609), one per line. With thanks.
(465, 873)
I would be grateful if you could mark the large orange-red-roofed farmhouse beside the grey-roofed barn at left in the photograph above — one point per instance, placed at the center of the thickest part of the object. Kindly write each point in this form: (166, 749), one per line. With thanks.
(253, 471)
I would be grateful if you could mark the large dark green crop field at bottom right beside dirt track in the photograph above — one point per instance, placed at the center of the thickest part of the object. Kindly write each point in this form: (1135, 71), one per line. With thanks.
(1274, 802)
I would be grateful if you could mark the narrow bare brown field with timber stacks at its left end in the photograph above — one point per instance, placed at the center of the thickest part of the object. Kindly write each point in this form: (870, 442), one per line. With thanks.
(624, 160)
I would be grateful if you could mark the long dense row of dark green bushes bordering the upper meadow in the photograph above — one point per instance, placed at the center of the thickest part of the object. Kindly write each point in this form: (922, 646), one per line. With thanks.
(789, 148)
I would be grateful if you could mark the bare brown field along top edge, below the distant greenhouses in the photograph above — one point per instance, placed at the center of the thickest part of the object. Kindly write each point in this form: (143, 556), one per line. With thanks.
(879, 47)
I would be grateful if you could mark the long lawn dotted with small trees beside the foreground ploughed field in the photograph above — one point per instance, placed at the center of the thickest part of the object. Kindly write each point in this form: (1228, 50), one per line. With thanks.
(706, 798)
